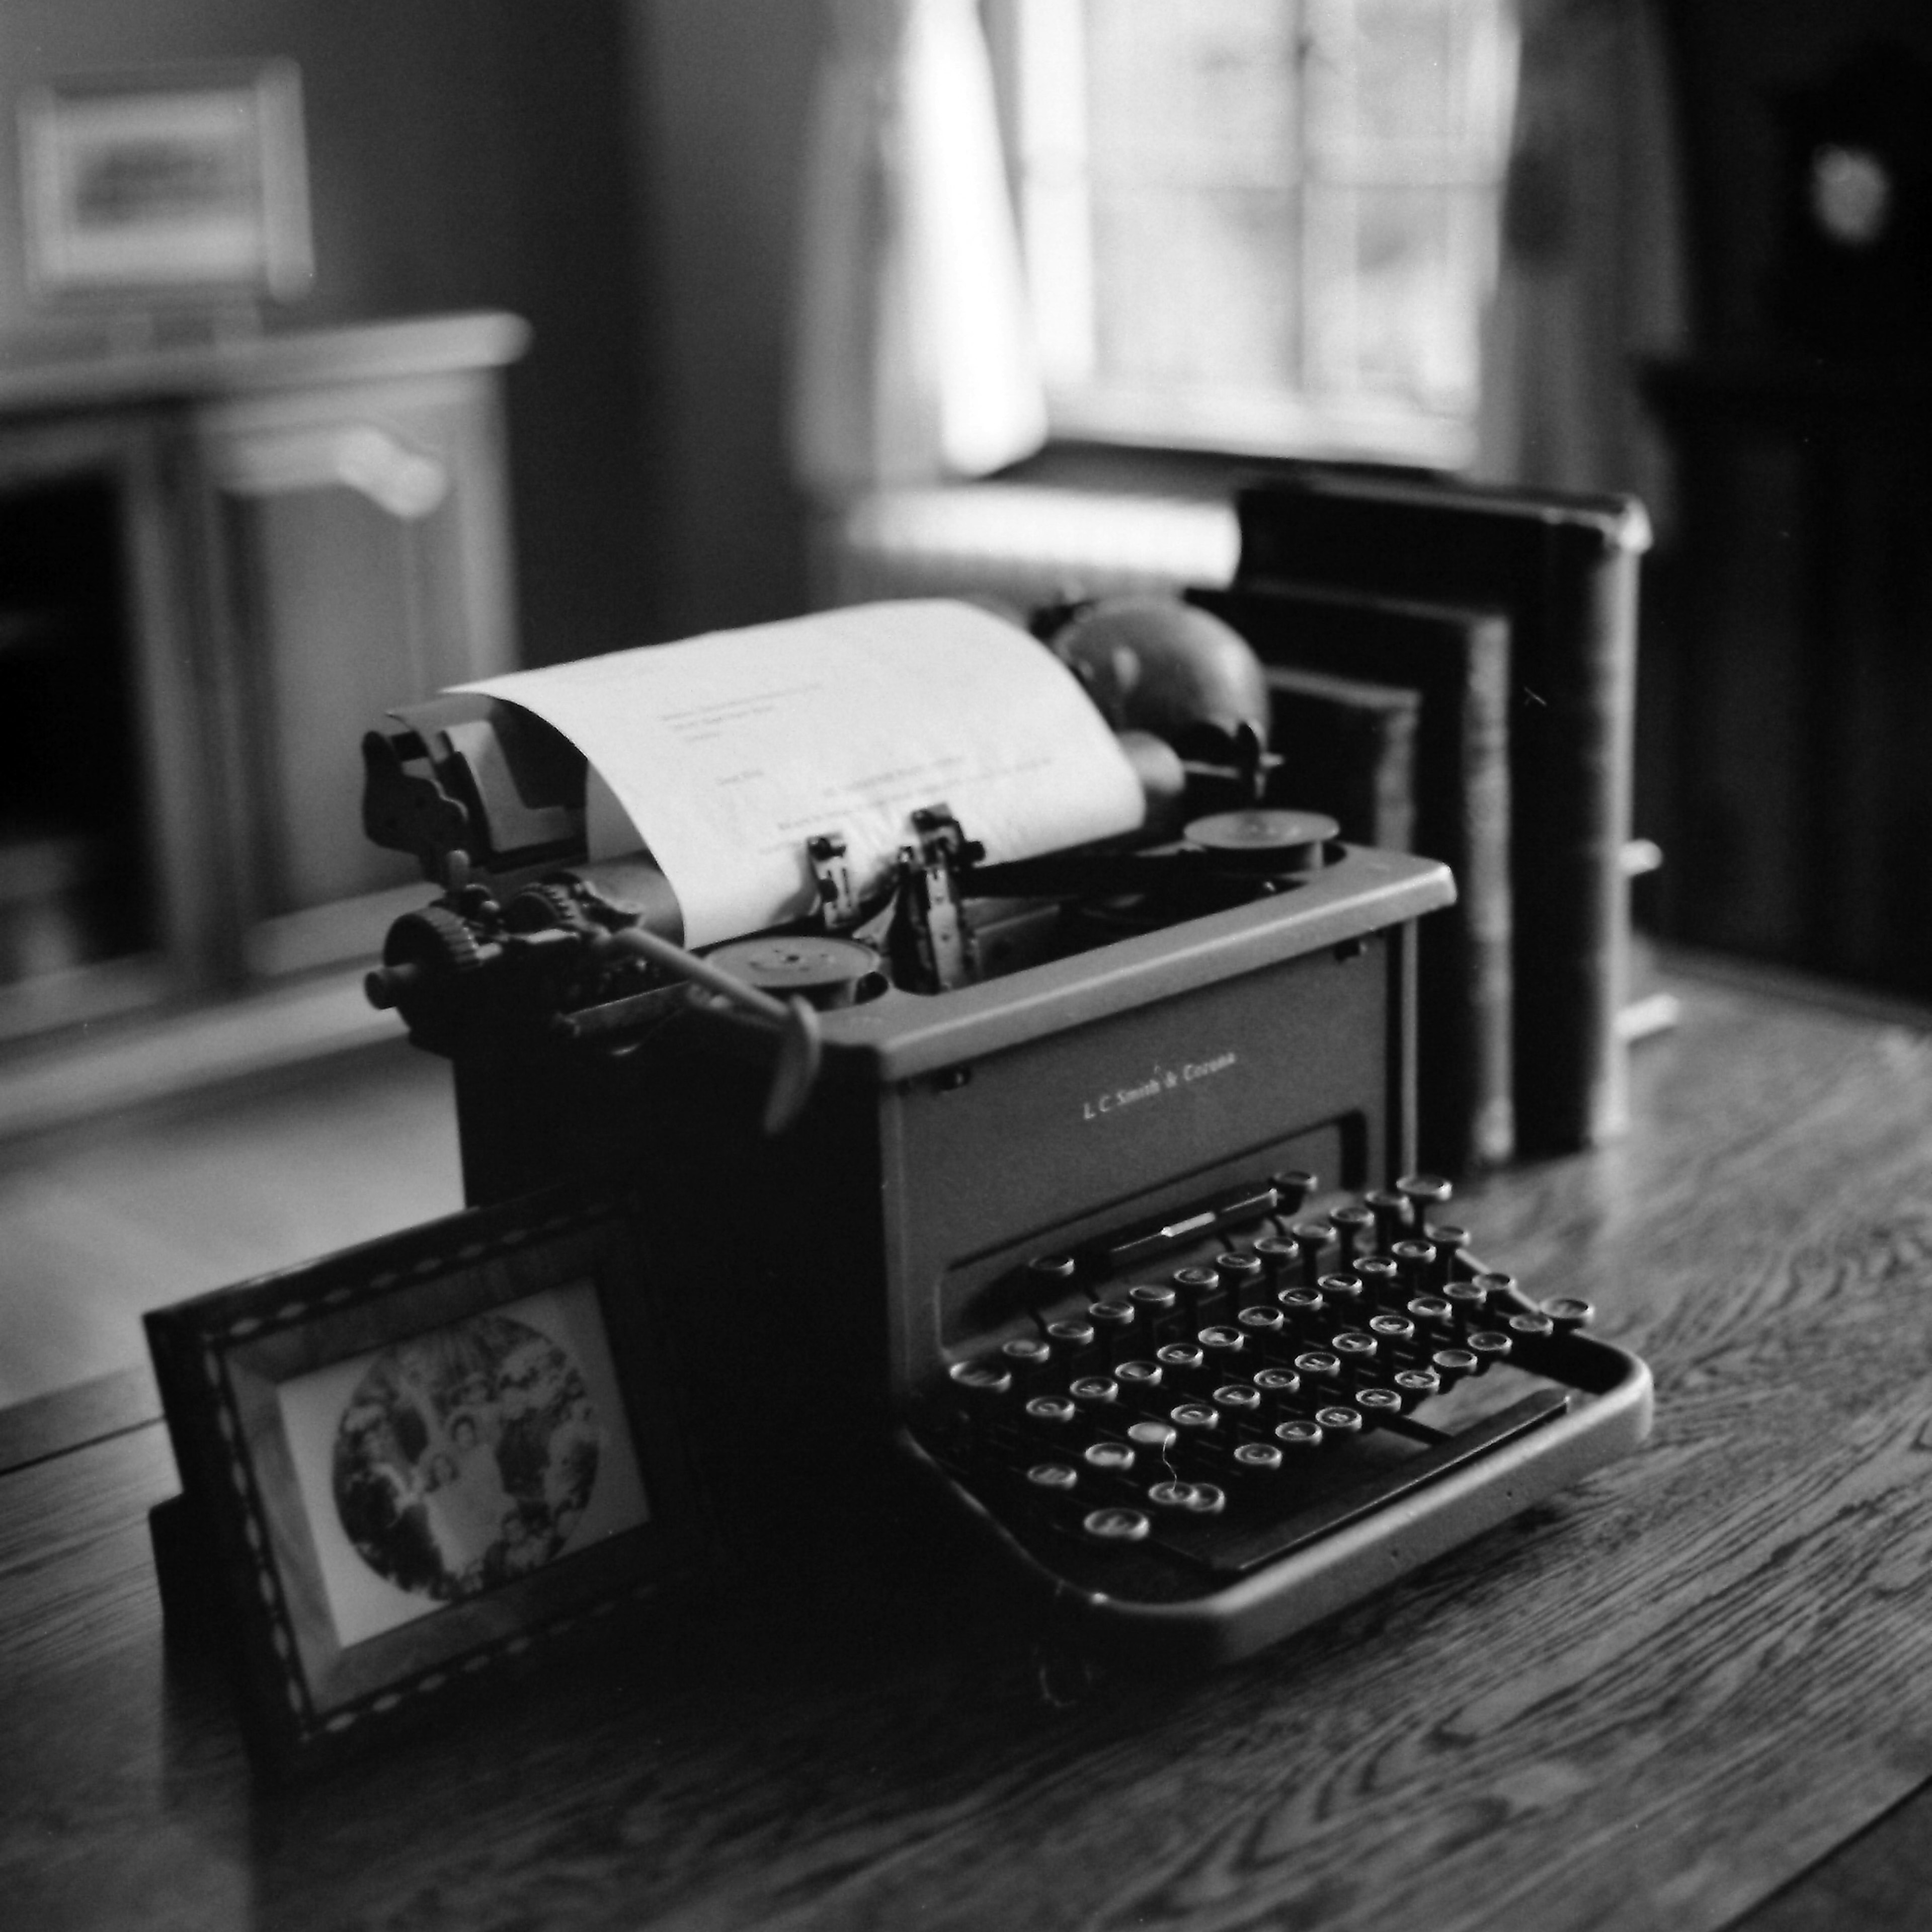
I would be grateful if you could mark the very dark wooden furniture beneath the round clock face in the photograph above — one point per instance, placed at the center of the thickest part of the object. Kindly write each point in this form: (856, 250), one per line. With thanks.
(1792, 791)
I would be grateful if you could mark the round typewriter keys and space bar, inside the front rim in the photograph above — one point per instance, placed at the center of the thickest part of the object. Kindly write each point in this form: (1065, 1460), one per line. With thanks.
(1187, 1427)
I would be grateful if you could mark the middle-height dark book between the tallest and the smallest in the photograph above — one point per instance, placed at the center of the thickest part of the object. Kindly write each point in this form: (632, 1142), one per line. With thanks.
(1458, 662)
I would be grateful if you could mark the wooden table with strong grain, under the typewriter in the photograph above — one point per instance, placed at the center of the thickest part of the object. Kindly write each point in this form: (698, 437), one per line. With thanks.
(1653, 1703)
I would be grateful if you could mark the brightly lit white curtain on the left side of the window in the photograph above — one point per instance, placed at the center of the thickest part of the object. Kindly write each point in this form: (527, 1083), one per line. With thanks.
(915, 353)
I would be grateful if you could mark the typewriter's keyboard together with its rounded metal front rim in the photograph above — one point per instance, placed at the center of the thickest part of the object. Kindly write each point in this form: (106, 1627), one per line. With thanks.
(1355, 1419)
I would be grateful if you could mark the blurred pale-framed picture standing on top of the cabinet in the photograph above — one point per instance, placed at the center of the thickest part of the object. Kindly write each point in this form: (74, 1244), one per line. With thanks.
(173, 185)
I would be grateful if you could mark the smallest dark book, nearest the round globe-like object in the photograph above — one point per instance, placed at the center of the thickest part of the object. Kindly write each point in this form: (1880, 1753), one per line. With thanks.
(1348, 749)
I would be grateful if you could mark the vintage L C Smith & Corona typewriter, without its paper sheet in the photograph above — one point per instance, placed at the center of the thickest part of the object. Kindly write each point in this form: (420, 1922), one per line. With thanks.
(1075, 1189)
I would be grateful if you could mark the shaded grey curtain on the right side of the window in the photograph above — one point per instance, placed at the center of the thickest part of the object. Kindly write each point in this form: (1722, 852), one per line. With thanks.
(1593, 273)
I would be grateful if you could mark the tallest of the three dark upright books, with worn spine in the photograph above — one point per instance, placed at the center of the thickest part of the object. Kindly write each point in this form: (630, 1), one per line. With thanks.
(1566, 575)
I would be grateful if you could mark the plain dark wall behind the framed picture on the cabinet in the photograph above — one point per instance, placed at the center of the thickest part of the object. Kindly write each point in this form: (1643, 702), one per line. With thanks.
(463, 154)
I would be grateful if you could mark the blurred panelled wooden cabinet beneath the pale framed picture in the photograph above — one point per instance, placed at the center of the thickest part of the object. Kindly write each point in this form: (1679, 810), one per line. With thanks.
(219, 563)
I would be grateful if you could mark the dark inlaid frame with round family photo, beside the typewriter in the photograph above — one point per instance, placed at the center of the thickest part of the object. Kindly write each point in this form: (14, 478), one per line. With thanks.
(422, 1462)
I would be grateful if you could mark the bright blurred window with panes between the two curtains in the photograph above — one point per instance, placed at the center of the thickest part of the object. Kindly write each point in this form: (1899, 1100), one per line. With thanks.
(1263, 225)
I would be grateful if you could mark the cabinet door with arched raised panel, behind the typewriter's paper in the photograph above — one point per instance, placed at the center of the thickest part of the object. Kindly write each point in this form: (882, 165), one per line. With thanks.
(364, 552)
